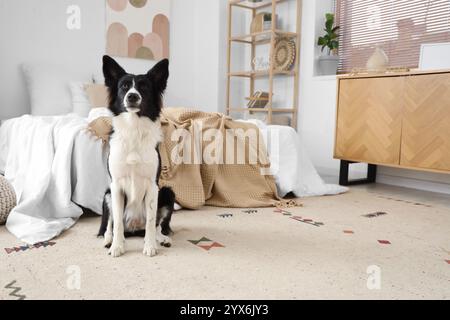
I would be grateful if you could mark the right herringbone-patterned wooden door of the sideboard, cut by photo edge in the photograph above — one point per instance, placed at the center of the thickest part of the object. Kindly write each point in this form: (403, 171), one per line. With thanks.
(426, 124)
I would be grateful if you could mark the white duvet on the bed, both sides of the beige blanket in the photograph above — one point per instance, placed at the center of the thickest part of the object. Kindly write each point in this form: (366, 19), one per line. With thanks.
(56, 166)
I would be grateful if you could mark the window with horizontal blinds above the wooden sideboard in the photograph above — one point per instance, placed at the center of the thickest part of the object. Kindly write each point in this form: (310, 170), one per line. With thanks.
(398, 26)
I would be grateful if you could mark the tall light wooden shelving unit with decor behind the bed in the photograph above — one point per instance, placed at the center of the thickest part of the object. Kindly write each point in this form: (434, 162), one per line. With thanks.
(254, 39)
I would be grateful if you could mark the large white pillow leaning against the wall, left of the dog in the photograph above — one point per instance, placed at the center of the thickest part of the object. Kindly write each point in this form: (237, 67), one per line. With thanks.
(48, 88)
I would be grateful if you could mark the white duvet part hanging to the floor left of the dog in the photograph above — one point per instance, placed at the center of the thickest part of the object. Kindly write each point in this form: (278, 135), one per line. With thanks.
(53, 165)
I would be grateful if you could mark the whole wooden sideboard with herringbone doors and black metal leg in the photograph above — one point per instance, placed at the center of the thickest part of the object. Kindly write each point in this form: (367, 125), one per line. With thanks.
(399, 120)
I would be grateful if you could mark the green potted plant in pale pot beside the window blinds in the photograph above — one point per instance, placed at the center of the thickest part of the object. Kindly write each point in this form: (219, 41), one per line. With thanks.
(328, 63)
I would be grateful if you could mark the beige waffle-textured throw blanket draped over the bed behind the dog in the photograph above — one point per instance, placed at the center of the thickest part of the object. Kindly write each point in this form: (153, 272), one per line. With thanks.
(197, 183)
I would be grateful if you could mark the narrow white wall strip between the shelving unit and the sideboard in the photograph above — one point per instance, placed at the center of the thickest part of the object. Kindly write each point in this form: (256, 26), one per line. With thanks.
(317, 109)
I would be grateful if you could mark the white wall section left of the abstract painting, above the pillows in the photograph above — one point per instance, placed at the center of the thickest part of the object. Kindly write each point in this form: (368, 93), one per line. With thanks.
(35, 31)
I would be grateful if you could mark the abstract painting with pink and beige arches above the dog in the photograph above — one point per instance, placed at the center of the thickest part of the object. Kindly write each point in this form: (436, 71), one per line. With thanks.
(138, 28)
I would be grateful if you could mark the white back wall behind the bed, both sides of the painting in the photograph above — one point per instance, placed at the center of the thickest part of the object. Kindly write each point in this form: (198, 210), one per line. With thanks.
(35, 31)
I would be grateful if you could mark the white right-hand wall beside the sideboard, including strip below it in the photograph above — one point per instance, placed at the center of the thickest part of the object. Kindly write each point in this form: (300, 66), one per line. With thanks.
(318, 111)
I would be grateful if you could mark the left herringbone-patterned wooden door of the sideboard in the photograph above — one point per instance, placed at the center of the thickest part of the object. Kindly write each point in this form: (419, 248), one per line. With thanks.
(369, 119)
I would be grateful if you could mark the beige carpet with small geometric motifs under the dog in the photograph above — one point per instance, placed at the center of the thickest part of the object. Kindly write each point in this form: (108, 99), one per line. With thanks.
(266, 255)
